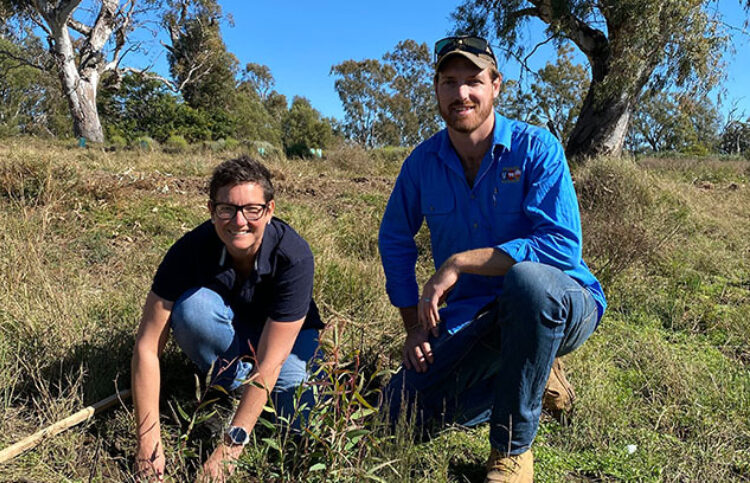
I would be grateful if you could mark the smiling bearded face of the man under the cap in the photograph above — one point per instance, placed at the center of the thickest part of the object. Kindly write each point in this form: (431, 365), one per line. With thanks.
(465, 95)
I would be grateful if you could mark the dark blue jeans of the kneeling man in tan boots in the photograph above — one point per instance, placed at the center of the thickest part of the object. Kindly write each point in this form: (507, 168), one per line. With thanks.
(495, 368)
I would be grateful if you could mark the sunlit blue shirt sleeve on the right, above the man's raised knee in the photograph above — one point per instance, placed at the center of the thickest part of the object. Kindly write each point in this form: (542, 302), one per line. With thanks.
(551, 205)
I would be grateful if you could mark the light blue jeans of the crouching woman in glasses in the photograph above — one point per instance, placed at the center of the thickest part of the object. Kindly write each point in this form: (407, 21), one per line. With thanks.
(204, 327)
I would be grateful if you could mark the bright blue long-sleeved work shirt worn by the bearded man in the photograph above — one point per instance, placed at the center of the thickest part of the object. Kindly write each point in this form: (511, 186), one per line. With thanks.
(522, 202)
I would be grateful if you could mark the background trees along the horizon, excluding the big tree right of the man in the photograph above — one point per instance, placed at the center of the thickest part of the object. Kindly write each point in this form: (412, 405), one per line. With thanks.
(386, 102)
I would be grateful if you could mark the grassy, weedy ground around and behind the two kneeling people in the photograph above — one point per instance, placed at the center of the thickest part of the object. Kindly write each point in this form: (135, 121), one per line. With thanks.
(83, 230)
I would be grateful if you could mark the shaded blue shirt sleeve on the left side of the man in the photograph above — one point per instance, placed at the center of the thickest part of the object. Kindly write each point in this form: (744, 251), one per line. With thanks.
(398, 250)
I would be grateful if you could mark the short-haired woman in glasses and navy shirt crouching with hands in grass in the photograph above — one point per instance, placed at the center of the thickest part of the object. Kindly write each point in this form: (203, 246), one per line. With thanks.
(237, 294)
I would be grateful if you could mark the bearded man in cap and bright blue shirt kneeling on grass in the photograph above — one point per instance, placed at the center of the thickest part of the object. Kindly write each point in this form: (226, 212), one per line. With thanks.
(505, 232)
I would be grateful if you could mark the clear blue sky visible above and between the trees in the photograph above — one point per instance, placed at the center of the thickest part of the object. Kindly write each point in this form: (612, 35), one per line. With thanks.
(301, 40)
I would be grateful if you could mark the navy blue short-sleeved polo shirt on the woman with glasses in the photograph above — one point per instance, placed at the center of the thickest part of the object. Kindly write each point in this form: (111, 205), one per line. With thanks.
(279, 287)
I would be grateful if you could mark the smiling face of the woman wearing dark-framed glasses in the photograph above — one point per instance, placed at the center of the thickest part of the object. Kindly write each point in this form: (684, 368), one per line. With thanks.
(242, 236)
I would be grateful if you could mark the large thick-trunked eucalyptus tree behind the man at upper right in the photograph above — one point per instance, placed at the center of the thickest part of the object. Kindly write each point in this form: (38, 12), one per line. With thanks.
(629, 44)
